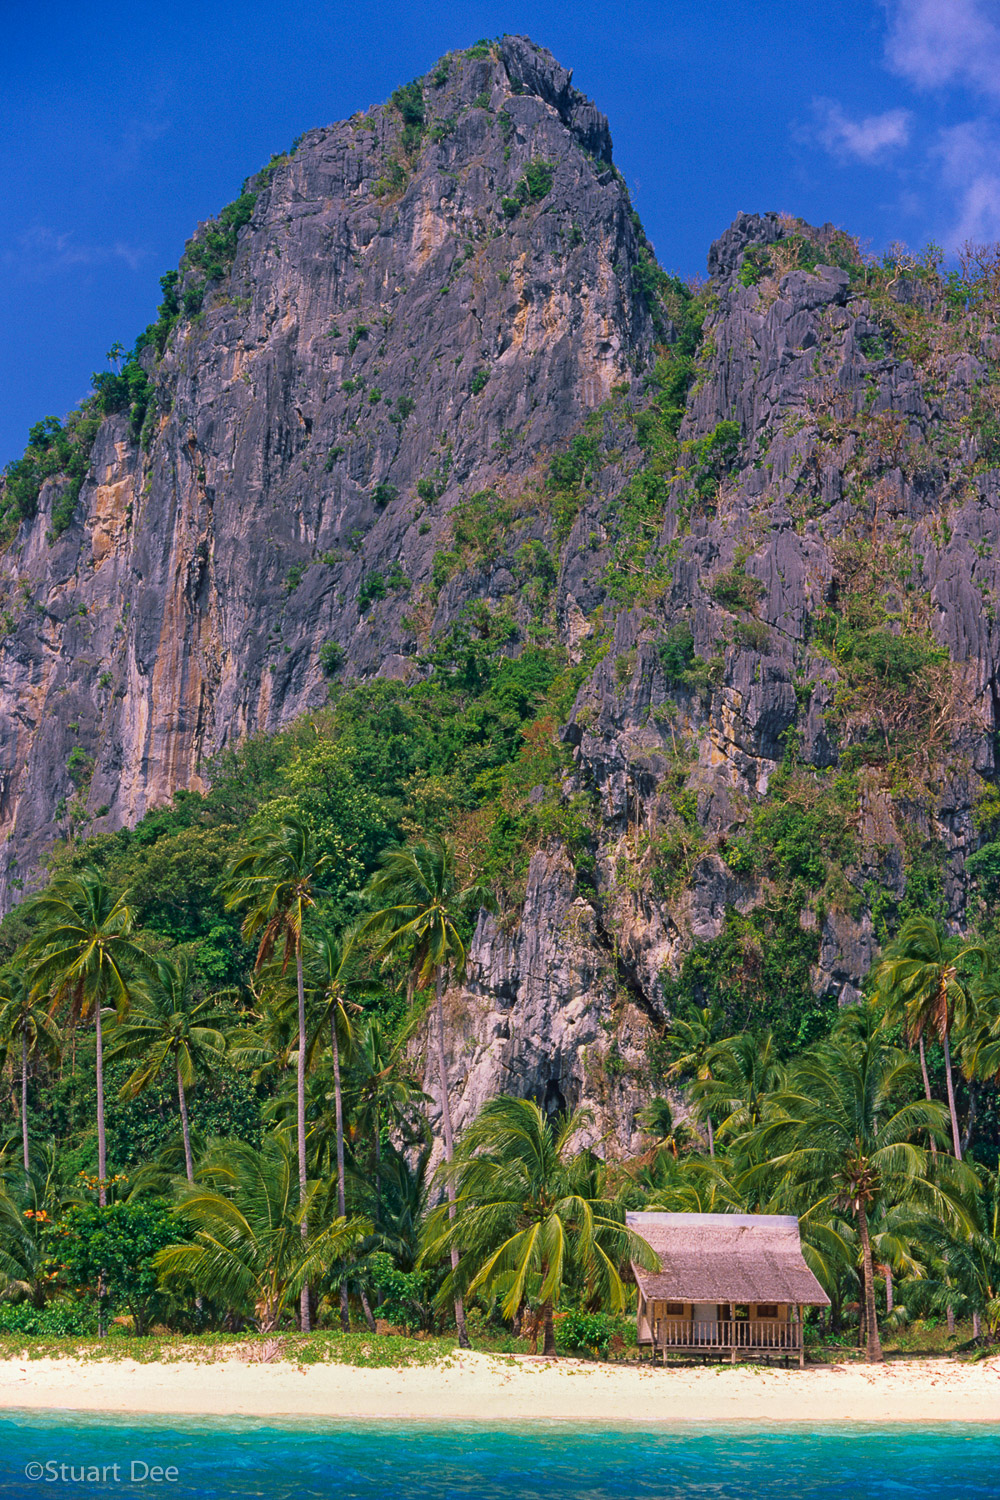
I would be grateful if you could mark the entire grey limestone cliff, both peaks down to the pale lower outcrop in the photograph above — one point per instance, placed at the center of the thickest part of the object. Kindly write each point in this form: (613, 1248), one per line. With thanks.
(795, 590)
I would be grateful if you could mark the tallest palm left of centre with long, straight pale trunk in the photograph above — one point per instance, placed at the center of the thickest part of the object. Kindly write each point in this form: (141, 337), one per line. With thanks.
(277, 883)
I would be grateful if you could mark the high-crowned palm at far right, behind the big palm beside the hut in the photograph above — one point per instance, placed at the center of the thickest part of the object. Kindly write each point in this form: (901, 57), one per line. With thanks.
(921, 980)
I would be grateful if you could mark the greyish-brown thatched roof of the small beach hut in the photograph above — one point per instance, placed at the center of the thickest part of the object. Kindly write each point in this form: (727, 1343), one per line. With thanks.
(726, 1258)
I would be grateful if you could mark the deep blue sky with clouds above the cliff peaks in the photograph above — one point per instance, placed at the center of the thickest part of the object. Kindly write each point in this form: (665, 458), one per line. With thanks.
(122, 127)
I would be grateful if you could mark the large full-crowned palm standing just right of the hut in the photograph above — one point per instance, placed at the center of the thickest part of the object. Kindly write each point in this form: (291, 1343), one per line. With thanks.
(837, 1139)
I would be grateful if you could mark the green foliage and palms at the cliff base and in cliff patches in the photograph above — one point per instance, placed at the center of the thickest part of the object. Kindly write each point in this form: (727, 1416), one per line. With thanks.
(214, 1118)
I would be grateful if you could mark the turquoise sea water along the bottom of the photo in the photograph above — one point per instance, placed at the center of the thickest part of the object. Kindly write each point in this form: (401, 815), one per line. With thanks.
(245, 1459)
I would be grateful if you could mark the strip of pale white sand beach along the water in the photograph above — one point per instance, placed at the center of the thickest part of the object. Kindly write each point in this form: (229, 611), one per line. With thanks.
(472, 1387)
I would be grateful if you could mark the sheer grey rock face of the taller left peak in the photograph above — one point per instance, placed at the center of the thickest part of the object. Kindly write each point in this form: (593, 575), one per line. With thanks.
(386, 340)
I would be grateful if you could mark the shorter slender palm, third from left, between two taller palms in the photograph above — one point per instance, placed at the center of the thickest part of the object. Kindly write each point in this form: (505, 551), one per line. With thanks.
(169, 1027)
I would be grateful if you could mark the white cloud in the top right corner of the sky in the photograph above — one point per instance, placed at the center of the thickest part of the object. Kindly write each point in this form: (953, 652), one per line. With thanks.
(936, 43)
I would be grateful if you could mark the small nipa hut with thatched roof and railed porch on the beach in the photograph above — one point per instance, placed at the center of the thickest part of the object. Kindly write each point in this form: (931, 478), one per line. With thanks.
(726, 1283)
